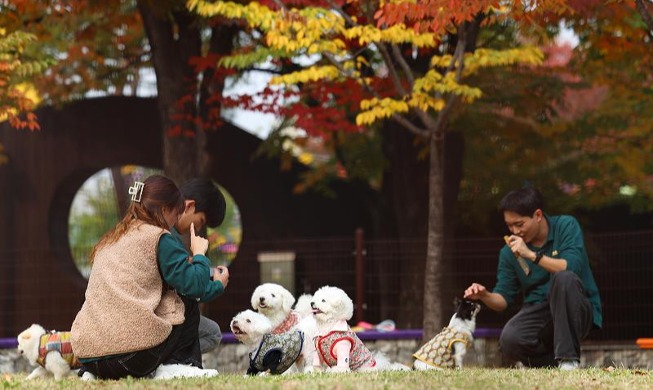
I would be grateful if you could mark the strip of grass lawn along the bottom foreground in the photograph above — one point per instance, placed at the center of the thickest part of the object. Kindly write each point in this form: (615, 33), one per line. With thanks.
(472, 378)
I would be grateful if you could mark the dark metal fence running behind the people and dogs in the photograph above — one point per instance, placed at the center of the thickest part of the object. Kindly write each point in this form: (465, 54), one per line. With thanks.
(390, 283)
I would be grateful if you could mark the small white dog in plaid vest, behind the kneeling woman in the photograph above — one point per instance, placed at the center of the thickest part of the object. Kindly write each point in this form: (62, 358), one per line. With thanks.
(50, 351)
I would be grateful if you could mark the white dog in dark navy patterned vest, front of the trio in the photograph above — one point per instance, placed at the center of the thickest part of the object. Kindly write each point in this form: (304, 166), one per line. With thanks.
(273, 353)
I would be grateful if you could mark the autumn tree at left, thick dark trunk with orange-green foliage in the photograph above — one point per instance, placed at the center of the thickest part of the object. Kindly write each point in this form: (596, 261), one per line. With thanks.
(106, 47)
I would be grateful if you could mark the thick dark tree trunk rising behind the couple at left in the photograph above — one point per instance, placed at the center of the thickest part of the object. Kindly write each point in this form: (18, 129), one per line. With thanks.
(174, 38)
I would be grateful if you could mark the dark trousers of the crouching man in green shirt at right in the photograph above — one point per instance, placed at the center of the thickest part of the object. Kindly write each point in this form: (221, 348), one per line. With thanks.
(541, 334)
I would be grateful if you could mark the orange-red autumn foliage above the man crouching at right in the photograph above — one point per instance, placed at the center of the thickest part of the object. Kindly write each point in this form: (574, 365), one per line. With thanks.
(590, 147)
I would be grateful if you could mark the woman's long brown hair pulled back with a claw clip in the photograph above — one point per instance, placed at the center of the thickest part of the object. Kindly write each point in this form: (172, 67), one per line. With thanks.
(158, 192)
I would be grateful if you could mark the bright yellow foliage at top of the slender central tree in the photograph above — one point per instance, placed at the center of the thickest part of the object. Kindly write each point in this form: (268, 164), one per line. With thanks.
(347, 45)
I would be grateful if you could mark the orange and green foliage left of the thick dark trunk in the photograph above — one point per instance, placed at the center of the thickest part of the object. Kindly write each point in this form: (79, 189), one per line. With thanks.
(100, 46)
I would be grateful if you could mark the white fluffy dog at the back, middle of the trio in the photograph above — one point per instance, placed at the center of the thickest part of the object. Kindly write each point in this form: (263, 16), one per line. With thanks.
(275, 302)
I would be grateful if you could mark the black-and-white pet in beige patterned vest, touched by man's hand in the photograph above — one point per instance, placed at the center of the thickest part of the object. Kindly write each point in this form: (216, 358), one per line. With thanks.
(448, 348)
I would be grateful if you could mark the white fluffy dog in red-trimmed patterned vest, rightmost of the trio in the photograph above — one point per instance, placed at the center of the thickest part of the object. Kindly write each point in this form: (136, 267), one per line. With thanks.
(337, 346)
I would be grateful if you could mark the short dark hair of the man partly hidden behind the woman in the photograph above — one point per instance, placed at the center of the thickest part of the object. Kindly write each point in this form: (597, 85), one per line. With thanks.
(208, 199)
